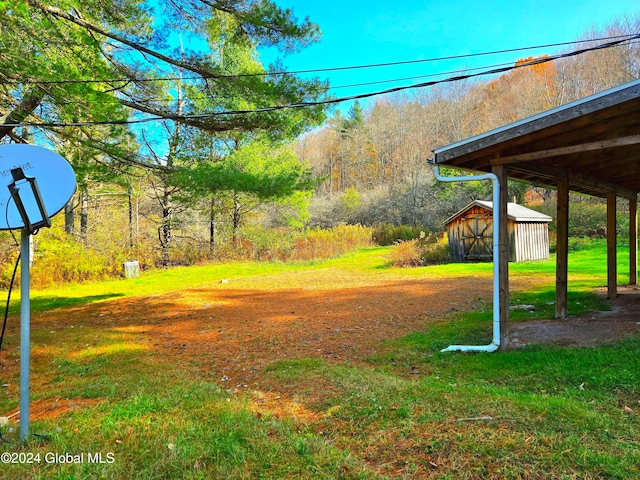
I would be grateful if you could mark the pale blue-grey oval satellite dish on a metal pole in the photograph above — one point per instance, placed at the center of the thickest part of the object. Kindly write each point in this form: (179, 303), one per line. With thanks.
(54, 177)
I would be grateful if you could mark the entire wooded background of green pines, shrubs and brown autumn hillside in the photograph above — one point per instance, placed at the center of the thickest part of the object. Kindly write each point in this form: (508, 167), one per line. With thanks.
(180, 156)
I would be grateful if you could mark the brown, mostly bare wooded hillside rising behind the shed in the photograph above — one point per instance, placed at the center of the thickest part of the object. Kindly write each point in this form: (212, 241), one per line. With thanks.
(381, 151)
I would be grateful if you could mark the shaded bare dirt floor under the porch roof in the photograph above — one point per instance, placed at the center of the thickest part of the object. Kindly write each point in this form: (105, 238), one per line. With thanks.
(595, 328)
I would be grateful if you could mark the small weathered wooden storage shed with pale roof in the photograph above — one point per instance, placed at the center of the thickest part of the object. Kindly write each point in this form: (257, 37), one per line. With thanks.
(471, 233)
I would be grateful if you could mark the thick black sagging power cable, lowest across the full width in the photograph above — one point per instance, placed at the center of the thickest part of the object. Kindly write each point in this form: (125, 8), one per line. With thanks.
(492, 71)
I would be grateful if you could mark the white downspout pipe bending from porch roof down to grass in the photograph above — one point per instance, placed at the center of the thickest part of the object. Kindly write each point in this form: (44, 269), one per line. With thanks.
(495, 344)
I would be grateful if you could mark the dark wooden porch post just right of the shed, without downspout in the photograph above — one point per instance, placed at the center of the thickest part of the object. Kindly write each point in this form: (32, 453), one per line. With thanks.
(562, 248)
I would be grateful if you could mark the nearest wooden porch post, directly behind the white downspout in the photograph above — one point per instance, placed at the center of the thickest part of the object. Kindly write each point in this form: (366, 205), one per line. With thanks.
(503, 251)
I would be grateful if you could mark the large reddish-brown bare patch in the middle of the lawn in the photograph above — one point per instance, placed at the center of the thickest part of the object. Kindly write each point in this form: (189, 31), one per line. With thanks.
(235, 334)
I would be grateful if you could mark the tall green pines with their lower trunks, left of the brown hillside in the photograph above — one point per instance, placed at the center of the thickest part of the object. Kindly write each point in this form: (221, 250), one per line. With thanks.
(145, 98)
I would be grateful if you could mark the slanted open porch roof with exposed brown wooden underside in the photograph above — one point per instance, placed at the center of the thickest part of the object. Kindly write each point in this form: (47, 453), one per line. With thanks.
(594, 143)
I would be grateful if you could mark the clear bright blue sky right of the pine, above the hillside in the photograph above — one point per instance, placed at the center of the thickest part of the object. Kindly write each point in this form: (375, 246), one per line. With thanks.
(358, 32)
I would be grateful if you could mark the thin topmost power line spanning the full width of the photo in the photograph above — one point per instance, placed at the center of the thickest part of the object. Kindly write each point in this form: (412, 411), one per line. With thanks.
(316, 70)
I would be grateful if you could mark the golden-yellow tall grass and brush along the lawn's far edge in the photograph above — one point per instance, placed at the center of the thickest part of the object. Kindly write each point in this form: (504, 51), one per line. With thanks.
(58, 259)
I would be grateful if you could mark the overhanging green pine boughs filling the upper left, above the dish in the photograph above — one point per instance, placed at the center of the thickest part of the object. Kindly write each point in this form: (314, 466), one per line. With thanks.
(95, 62)
